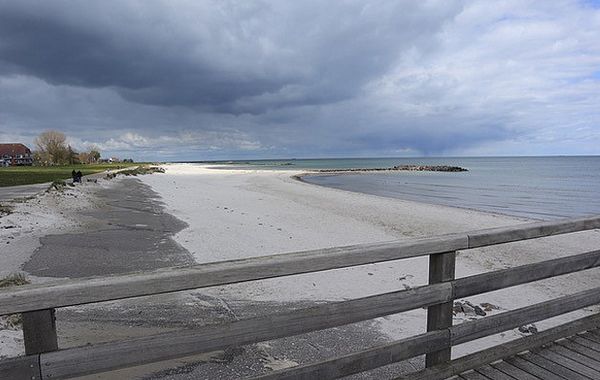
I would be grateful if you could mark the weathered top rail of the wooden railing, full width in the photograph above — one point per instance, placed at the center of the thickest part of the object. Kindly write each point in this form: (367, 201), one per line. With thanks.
(99, 289)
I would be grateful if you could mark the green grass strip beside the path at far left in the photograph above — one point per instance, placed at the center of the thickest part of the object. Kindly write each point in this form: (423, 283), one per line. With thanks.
(26, 175)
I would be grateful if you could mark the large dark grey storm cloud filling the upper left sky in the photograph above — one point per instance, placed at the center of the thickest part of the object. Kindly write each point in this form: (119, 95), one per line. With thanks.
(225, 57)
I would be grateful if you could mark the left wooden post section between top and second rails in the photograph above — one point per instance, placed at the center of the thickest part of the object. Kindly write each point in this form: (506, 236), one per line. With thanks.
(39, 331)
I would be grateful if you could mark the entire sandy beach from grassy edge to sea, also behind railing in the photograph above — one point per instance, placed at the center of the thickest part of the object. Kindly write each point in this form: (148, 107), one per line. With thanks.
(228, 214)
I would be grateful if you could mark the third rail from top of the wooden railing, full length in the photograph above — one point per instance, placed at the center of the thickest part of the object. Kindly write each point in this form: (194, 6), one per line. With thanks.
(387, 354)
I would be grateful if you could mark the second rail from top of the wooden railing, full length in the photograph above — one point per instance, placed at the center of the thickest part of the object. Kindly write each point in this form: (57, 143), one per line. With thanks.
(113, 355)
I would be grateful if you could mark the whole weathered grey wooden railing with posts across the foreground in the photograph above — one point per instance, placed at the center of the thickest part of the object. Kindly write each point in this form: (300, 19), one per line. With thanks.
(43, 359)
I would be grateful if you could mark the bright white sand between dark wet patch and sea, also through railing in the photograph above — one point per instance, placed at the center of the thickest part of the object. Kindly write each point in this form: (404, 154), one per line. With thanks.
(244, 213)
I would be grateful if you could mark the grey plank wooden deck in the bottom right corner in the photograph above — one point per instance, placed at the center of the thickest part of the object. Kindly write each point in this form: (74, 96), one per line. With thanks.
(573, 358)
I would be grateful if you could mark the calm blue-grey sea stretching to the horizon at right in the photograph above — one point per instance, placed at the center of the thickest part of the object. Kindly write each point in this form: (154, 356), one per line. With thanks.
(542, 188)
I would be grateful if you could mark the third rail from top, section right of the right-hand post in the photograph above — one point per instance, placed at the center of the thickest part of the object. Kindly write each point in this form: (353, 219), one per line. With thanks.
(472, 330)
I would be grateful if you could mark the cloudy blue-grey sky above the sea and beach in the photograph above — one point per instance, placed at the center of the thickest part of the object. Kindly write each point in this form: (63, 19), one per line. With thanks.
(208, 80)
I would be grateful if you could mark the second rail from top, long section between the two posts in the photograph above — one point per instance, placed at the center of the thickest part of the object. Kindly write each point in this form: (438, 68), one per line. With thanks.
(107, 356)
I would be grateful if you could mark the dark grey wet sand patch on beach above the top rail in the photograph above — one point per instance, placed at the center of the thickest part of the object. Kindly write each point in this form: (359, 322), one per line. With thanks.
(129, 232)
